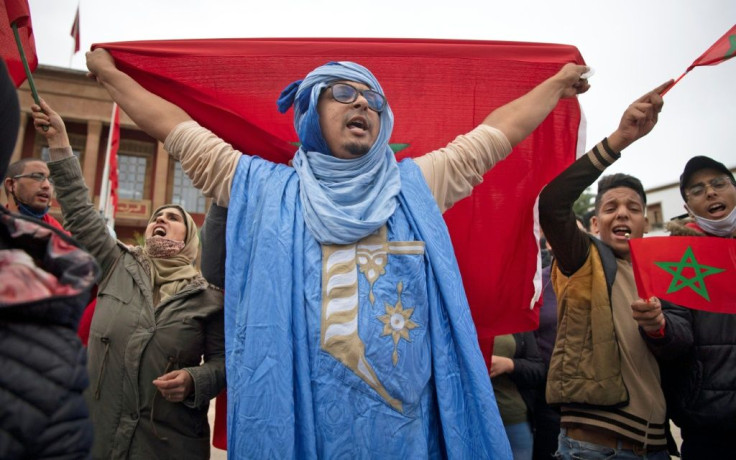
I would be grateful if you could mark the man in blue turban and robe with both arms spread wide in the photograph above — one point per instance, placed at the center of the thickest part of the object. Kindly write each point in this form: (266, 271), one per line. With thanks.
(348, 333)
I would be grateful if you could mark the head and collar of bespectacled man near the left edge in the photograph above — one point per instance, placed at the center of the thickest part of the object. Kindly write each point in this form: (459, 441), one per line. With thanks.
(30, 189)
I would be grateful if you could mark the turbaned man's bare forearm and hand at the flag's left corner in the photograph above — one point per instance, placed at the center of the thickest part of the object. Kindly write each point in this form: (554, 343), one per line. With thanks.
(154, 115)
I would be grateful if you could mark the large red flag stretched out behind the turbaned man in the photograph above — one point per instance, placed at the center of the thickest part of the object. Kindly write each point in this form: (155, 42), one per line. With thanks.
(437, 90)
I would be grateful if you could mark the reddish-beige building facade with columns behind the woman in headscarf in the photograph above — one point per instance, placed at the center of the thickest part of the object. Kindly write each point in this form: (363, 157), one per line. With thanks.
(148, 177)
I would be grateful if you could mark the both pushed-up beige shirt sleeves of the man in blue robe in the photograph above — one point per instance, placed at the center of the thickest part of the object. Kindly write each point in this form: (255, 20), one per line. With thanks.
(451, 172)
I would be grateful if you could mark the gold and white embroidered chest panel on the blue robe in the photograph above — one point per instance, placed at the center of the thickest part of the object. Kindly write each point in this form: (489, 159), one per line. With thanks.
(374, 316)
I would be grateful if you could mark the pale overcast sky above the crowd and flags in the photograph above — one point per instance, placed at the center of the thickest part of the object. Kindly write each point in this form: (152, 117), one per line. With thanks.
(633, 45)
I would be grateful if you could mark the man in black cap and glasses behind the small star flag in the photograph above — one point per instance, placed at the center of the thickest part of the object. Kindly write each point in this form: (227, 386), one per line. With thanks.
(697, 349)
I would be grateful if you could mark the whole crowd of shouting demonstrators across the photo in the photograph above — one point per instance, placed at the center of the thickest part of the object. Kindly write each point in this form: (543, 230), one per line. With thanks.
(308, 269)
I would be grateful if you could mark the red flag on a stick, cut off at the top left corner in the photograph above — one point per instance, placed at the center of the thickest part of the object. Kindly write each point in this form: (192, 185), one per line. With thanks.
(17, 12)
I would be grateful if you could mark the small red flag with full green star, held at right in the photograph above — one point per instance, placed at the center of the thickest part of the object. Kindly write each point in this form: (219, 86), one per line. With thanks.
(694, 272)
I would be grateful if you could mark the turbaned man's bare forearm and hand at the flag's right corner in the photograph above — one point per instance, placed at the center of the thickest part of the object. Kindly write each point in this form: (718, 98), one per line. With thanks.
(520, 117)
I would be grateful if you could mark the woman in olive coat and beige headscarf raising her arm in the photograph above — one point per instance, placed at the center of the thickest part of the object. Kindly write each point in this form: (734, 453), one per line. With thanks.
(156, 346)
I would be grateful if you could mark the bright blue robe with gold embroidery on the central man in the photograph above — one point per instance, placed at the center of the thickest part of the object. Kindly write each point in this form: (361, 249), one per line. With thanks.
(403, 377)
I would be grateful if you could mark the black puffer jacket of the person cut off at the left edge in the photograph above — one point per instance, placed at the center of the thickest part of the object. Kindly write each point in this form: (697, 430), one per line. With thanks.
(46, 282)
